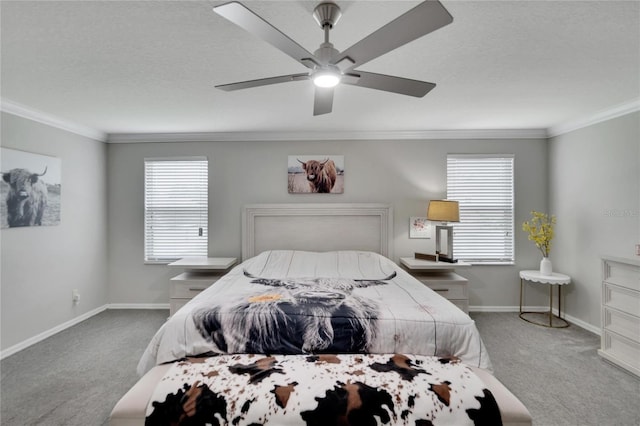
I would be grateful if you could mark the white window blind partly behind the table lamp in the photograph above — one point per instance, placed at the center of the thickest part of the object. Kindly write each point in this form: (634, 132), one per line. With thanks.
(483, 185)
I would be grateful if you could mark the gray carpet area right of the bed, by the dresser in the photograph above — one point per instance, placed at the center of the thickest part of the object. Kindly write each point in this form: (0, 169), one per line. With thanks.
(558, 374)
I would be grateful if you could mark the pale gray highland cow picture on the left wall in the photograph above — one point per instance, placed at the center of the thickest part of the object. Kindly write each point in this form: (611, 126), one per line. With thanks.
(30, 189)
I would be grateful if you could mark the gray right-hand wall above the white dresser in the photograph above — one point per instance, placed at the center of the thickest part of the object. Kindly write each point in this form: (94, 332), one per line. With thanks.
(595, 193)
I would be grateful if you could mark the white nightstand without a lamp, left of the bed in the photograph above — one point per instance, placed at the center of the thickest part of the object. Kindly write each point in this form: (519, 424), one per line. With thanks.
(199, 273)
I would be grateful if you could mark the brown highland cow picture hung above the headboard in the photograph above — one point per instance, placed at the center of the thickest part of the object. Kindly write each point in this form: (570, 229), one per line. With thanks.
(322, 174)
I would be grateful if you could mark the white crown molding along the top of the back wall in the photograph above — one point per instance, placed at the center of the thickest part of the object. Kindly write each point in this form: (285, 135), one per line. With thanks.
(327, 135)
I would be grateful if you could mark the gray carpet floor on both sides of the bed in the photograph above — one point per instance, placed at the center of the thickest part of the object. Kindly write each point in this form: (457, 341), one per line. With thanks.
(77, 376)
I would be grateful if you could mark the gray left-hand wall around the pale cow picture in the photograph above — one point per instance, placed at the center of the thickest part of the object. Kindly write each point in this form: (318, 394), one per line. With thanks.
(41, 265)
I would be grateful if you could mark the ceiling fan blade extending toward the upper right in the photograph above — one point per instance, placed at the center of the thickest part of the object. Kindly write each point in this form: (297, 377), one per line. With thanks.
(426, 17)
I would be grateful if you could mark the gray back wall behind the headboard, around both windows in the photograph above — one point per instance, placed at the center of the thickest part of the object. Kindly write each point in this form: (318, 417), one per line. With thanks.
(405, 174)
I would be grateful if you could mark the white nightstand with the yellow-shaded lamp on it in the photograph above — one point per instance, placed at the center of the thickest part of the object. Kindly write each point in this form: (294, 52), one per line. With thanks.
(441, 278)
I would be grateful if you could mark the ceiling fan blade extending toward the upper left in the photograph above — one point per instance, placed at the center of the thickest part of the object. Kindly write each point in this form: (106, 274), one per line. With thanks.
(249, 21)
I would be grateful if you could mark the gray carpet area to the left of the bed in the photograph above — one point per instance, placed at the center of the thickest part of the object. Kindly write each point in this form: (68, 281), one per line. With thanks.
(75, 377)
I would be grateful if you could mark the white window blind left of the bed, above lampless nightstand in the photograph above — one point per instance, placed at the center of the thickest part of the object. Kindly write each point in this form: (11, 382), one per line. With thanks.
(175, 208)
